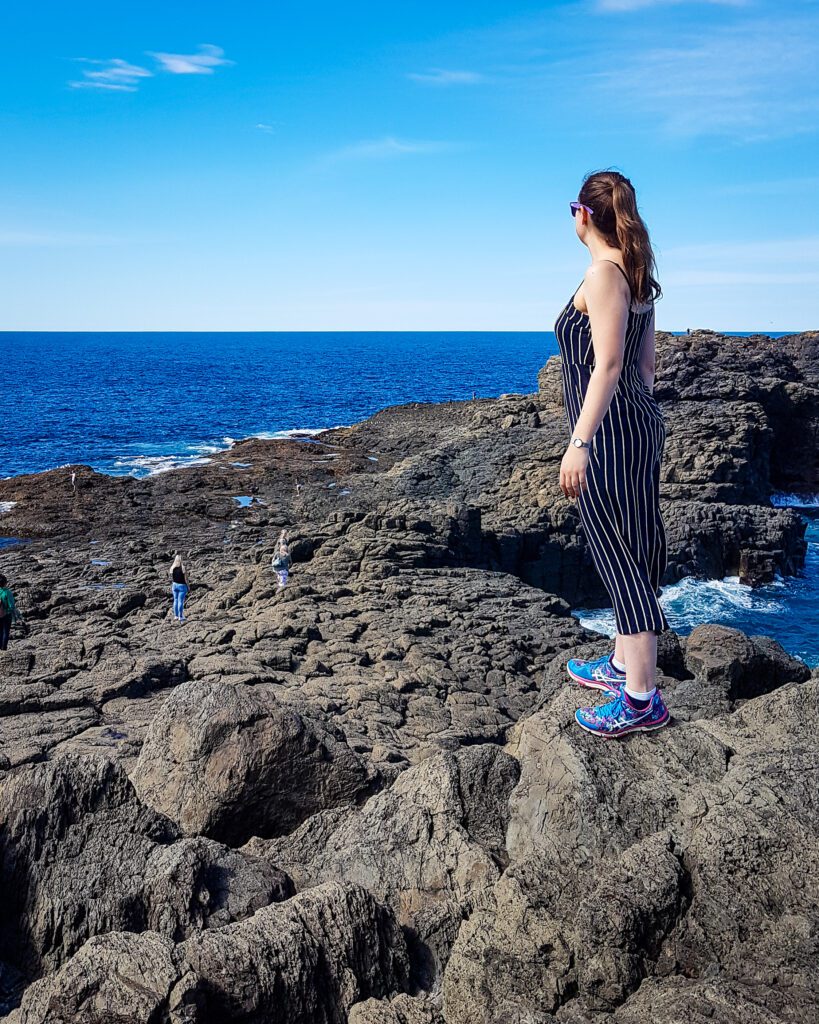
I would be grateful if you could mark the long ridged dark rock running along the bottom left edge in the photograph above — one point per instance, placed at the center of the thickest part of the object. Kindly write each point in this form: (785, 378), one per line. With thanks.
(305, 962)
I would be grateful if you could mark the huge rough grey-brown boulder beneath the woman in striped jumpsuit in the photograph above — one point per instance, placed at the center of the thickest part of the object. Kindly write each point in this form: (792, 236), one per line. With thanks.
(589, 910)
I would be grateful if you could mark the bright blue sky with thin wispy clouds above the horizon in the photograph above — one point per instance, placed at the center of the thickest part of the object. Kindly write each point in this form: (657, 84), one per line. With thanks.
(402, 166)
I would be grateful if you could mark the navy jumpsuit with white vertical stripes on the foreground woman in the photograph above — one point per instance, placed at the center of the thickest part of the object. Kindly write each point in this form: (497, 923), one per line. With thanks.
(620, 513)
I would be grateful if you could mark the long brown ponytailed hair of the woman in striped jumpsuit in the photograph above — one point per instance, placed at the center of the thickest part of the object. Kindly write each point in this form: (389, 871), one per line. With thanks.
(614, 200)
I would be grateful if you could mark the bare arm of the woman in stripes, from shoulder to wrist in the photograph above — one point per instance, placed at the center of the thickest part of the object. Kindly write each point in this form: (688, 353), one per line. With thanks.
(606, 296)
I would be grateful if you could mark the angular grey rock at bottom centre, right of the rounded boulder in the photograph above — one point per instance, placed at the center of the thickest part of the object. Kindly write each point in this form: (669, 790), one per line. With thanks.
(427, 847)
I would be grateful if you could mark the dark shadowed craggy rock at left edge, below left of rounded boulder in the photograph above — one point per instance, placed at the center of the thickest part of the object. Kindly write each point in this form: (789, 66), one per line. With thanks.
(81, 857)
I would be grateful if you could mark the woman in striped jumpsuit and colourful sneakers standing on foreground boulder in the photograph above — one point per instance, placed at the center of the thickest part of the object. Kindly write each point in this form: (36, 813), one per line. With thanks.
(612, 467)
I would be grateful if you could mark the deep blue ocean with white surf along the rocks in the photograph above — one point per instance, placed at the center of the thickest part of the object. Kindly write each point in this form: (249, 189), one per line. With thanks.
(141, 404)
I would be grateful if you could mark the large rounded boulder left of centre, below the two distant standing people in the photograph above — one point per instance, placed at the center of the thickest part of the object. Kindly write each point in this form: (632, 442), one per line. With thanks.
(226, 761)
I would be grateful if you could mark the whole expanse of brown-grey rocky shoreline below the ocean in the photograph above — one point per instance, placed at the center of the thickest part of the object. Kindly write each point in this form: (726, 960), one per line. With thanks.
(362, 798)
